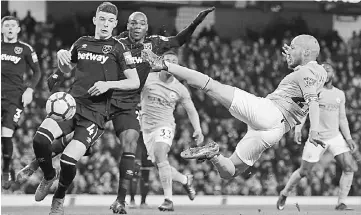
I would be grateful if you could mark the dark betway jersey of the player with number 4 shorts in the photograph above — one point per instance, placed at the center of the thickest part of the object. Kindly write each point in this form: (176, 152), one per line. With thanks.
(97, 60)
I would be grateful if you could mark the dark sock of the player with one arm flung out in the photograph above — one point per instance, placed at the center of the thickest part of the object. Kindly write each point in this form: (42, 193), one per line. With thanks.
(126, 172)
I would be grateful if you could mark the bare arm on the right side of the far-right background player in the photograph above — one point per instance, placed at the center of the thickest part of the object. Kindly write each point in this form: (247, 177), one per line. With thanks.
(344, 127)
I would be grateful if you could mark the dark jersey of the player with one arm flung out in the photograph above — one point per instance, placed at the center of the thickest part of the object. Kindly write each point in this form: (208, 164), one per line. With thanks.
(159, 45)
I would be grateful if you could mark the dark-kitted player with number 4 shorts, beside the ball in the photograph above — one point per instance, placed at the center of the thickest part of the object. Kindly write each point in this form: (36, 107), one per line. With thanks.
(99, 61)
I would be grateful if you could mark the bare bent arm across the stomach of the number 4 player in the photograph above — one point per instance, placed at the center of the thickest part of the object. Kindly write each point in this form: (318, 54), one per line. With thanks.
(131, 82)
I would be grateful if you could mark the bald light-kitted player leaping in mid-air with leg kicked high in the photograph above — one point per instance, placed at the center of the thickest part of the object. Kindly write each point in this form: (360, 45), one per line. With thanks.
(267, 118)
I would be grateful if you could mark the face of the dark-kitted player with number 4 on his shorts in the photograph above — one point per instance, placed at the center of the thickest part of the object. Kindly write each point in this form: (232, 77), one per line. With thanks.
(104, 24)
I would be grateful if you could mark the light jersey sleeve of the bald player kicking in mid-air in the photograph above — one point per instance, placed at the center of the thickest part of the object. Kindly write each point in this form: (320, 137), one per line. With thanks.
(308, 84)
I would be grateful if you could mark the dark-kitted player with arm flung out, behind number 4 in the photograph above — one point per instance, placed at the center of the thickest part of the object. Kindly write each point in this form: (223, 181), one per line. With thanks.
(123, 104)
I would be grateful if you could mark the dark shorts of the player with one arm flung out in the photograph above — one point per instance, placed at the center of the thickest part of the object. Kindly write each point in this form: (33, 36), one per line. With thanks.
(124, 118)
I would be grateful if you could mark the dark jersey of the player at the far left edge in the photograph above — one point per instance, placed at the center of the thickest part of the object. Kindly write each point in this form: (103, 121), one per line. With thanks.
(15, 60)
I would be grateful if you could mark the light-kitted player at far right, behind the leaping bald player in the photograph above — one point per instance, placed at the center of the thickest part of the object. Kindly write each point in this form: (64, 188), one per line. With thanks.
(332, 120)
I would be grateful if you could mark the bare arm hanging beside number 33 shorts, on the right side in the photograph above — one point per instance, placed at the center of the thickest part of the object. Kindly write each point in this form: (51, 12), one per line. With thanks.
(194, 119)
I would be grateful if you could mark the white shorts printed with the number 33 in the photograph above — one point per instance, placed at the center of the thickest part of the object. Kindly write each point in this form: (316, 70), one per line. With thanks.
(162, 134)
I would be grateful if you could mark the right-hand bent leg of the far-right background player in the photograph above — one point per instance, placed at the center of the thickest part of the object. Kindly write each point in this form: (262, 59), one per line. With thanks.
(348, 169)
